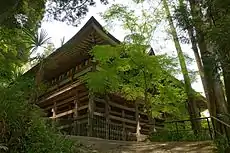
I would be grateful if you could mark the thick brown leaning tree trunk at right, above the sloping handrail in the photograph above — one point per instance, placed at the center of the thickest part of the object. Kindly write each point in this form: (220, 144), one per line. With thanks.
(217, 103)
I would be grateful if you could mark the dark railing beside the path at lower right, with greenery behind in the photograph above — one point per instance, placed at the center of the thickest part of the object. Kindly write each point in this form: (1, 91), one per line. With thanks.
(181, 130)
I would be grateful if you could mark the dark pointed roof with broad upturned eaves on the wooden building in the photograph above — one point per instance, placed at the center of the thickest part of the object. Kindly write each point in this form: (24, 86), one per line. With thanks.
(76, 49)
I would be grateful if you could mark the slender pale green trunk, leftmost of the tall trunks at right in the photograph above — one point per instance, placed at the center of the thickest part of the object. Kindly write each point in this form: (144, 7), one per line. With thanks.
(192, 108)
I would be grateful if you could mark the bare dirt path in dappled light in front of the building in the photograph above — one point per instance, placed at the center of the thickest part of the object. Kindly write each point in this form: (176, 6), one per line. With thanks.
(111, 146)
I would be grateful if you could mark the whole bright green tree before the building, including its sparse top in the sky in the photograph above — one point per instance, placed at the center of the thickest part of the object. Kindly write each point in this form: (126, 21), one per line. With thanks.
(129, 69)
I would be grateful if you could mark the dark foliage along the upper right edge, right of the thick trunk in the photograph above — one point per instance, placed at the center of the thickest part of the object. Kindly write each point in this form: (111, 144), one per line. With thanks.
(218, 32)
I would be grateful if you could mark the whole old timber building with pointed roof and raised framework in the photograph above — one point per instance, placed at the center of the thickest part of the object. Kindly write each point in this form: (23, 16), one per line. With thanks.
(69, 102)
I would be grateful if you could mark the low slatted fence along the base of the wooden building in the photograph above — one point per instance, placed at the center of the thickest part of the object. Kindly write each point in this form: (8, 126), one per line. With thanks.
(101, 128)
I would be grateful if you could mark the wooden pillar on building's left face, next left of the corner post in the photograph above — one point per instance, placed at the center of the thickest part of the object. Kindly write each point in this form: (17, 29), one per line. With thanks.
(75, 115)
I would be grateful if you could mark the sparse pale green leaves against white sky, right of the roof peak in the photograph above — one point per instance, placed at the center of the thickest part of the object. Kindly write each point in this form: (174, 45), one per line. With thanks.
(141, 25)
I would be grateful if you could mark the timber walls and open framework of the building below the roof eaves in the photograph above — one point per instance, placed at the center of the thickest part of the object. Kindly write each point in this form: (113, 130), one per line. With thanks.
(68, 99)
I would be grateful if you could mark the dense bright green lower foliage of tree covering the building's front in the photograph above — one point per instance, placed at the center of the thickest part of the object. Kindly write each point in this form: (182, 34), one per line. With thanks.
(131, 72)
